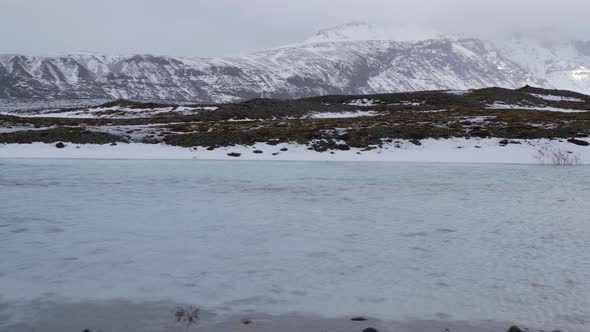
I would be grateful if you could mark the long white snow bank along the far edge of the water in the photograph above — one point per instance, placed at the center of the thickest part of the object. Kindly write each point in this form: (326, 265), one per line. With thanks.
(458, 150)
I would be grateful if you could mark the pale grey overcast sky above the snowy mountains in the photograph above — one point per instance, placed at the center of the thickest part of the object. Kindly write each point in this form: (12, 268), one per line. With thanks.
(232, 27)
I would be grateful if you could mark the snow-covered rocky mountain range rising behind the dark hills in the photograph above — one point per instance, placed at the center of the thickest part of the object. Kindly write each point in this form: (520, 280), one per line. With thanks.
(350, 59)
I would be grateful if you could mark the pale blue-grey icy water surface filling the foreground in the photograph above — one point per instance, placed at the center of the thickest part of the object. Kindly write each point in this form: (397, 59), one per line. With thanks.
(394, 241)
